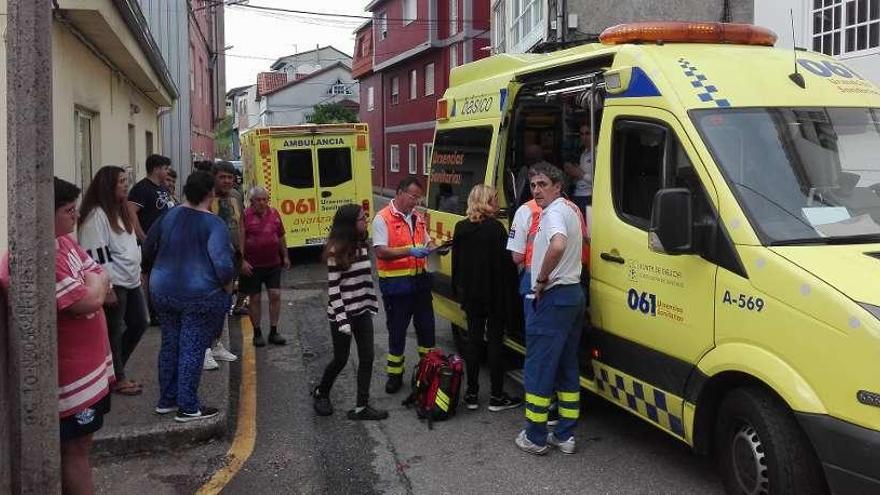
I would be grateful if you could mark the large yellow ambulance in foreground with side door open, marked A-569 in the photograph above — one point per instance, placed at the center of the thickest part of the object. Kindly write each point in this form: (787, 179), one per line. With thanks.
(735, 253)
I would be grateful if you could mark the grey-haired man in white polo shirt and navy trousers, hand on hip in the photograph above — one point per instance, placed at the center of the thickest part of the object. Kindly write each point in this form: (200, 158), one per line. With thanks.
(554, 317)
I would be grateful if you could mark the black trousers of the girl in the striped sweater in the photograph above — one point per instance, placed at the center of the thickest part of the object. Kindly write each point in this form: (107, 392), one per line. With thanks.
(362, 330)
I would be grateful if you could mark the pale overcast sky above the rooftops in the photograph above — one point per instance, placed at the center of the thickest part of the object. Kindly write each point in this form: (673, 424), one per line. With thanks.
(258, 38)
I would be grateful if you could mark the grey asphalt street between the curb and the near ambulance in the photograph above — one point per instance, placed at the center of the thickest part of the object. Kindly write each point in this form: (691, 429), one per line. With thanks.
(298, 452)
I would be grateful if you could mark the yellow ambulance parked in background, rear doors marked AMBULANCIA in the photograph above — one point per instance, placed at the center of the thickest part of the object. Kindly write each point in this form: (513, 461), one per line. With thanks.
(309, 170)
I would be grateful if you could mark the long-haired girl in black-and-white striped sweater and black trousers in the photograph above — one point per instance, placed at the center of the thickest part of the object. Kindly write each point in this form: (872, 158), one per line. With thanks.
(351, 306)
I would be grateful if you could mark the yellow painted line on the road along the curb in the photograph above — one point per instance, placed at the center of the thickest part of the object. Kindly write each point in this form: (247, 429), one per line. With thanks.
(246, 431)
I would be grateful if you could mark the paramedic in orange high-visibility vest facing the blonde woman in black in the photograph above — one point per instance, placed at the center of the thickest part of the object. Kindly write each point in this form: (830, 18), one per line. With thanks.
(402, 244)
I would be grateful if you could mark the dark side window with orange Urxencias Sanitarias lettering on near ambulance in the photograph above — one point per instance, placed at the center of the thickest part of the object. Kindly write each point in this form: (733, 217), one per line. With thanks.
(459, 161)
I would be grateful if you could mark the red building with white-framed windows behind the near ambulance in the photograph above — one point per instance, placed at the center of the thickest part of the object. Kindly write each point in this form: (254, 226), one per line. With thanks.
(402, 59)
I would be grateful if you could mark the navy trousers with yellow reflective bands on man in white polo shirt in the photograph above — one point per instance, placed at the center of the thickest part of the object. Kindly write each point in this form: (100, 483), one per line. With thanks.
(553, 331)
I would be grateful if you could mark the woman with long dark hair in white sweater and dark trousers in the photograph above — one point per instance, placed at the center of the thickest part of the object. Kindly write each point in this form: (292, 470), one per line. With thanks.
(106, 232)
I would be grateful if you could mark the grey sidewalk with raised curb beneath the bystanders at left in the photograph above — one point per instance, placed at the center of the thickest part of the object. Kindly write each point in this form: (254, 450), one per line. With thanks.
(132, 425)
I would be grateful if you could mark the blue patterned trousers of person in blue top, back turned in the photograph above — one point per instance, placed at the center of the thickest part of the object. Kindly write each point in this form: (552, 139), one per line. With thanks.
(188, 328)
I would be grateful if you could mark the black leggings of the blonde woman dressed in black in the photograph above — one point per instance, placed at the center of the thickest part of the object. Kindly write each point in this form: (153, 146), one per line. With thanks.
(477, 326)
